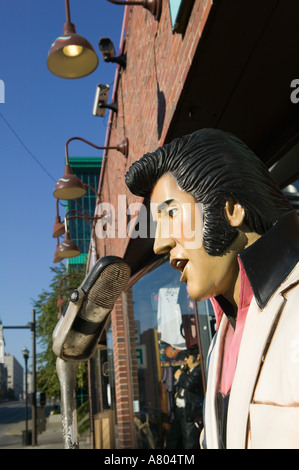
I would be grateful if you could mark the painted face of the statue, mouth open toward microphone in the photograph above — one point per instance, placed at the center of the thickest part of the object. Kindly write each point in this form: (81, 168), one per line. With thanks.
(179, 233)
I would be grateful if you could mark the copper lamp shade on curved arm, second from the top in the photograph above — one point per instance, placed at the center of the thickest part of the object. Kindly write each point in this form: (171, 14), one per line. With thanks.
(69, 186)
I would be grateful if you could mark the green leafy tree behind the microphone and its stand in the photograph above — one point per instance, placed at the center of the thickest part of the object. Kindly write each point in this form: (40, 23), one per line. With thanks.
(46, 320)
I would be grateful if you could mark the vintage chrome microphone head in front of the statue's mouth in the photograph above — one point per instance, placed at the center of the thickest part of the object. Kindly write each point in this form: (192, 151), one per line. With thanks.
(78, 331)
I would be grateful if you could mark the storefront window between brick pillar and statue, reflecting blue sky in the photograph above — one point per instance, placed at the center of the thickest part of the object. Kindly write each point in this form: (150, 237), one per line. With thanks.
(165, 327)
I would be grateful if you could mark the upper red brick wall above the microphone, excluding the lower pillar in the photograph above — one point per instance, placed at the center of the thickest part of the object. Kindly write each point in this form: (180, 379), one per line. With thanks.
(157, 63)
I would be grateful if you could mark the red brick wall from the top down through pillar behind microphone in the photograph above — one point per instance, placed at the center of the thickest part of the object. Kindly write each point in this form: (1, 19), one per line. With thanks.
(158, 63)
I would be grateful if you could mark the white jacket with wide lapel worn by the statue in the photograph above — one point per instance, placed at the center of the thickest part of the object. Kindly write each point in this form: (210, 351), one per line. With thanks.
(263, 409)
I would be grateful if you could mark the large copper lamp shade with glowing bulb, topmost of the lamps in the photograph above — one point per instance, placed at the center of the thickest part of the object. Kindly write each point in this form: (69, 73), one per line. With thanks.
(71, 55)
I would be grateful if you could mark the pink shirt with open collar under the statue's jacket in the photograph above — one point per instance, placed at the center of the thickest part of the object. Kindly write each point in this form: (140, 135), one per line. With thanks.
(233, 336)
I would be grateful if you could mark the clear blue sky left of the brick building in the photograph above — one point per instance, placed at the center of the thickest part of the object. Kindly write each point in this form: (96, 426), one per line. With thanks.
(40, 113)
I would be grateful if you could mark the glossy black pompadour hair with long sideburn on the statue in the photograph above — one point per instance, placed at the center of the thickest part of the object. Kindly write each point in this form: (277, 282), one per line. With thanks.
(214, 166)
